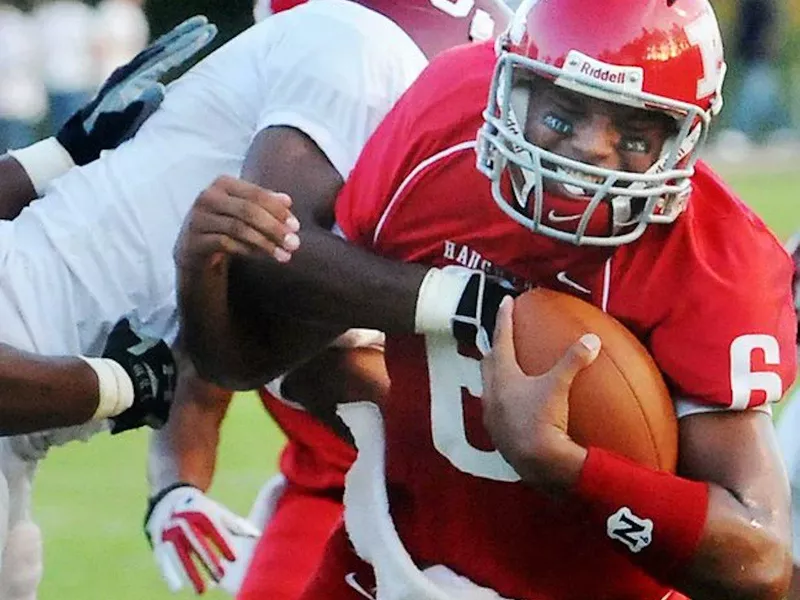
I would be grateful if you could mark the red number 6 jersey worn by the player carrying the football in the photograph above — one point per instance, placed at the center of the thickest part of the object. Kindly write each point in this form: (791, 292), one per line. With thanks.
(709, 296)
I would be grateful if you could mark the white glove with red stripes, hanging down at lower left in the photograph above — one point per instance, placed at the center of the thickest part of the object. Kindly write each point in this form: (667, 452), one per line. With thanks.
(185, 528)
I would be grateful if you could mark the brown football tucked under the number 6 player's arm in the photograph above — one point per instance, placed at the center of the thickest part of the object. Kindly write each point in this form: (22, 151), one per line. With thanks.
(619, 402)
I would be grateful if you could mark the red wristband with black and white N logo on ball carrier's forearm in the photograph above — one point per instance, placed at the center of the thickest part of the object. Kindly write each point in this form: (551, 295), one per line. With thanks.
(659, 517)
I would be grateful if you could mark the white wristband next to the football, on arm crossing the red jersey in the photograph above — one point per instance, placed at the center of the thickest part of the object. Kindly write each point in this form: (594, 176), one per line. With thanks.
(438, 298)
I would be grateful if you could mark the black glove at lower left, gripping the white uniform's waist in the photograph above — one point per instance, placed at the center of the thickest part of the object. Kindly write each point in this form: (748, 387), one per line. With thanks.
(151, 367)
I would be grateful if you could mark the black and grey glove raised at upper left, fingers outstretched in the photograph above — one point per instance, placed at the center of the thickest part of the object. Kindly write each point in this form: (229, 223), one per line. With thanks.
(132, 93)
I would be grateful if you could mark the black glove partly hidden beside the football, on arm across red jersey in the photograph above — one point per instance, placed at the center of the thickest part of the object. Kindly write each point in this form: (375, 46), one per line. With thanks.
(476, 314)
